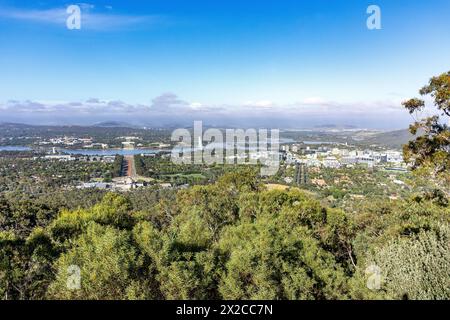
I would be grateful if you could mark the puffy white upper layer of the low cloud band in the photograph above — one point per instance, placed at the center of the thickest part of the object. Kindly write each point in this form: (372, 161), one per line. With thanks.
(169, 103)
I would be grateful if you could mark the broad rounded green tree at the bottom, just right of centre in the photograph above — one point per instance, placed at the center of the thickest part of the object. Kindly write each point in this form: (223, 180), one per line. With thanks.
(269, 261)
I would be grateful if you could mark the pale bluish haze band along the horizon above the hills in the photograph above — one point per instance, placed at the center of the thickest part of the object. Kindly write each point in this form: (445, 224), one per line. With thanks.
(89, 113)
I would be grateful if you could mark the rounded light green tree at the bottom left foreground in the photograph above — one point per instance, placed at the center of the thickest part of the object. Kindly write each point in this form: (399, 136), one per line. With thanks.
(107, 261)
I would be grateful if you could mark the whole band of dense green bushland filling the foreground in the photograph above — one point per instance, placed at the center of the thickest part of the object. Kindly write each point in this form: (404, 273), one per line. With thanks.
(232, 239)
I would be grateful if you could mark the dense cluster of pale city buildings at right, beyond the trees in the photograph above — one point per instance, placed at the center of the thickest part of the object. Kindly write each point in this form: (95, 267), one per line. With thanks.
(334, 157)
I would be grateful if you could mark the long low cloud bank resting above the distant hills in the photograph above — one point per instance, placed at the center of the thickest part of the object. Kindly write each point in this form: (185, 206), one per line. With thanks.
(169, 109)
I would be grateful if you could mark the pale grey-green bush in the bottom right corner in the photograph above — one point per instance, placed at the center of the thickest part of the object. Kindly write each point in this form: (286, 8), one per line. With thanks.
(416, 267)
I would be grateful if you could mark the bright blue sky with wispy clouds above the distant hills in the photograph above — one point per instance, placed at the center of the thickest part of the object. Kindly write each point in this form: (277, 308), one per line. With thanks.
(308, 58)
